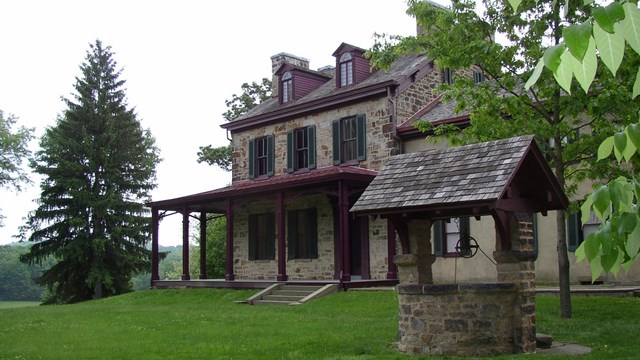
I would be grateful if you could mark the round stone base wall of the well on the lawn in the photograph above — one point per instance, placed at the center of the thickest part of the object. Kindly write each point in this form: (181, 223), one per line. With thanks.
(457, 319)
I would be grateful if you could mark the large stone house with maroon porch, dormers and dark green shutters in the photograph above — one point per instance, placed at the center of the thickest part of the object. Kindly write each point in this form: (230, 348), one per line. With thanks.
(302, 158)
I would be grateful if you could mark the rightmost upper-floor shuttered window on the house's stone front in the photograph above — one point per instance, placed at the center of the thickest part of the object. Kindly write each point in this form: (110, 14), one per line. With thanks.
(349, 139)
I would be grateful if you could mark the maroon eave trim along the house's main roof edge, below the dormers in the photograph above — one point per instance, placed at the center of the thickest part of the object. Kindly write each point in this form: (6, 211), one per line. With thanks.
(311, 106)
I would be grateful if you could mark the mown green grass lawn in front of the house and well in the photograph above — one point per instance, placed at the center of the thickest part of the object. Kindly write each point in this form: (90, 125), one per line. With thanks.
(207, 324)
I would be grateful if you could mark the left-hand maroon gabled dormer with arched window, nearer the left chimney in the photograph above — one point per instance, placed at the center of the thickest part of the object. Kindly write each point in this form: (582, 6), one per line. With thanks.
(294, 82)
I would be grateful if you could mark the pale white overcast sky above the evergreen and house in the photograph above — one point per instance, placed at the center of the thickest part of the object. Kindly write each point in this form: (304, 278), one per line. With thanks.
(181, 60)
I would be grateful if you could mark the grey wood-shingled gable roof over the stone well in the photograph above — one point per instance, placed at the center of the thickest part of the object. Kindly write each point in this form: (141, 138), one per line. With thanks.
(510, 175)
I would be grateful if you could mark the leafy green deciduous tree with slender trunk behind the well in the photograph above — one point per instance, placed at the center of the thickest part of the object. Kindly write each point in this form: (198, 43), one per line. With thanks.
(463, 39)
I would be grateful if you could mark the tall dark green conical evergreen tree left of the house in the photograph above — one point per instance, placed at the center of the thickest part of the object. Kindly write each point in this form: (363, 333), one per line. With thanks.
(98, 168)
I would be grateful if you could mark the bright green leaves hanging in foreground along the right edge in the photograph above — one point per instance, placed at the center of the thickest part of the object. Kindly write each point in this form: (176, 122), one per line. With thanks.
(604, 36)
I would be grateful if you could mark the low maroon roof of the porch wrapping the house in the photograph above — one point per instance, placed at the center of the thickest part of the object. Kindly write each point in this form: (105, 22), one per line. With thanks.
(215, 200)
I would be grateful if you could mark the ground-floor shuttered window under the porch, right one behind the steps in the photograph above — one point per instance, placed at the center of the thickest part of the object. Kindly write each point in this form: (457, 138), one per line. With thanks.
(303, 234)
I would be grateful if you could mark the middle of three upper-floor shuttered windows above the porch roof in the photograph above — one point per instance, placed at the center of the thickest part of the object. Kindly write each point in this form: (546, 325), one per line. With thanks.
(301, 148)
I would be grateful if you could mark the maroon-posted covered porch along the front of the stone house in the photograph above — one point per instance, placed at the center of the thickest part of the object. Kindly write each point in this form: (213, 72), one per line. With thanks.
(339, 185)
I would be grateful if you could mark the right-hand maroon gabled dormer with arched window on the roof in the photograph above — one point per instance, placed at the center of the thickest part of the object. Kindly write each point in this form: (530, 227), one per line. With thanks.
(351, 65)
